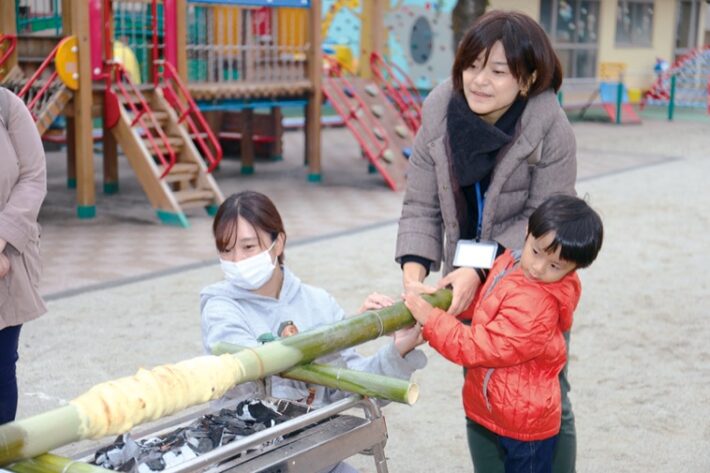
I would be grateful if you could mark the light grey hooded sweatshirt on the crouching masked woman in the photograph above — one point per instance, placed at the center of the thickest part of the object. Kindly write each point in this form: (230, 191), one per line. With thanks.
(238, 316)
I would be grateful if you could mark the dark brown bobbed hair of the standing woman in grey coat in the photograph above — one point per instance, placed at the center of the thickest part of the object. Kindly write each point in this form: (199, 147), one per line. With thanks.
(527, 49)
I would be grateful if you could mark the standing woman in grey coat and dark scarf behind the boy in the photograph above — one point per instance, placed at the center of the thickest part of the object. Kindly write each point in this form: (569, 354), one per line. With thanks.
(494, 143)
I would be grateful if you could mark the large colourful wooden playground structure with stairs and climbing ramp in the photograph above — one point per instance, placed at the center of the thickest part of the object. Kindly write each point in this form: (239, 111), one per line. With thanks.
(155, 66)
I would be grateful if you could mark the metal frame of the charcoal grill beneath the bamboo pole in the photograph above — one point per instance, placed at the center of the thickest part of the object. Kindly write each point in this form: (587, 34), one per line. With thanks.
(310, 441)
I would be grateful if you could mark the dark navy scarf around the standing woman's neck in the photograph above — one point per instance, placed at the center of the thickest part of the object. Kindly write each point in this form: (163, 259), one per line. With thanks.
(474, 143)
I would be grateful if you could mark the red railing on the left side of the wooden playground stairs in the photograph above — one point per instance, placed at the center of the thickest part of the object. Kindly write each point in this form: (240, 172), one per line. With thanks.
(144, 117)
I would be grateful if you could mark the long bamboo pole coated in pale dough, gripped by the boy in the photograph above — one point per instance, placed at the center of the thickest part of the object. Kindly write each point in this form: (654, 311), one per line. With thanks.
(115, 406)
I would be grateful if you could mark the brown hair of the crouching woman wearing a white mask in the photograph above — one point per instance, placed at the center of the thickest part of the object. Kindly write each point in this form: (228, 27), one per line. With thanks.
(255, 208)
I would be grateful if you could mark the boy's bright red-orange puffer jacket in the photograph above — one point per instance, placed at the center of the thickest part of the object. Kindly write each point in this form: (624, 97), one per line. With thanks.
(514, 350)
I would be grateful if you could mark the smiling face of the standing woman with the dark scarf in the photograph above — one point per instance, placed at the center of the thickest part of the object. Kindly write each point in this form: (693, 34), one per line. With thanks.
(490, 89)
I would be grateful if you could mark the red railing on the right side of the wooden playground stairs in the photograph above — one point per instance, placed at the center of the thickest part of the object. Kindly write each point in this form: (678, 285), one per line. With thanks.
(188, 112)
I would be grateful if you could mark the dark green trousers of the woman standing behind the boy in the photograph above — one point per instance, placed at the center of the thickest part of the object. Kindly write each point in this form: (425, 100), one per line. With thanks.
(487, 453)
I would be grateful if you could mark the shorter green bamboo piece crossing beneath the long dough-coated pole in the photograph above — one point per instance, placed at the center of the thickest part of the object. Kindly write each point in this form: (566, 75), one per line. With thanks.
(366, 384)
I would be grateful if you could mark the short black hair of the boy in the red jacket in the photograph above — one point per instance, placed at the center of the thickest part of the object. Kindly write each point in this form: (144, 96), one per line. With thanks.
(578, 228)
